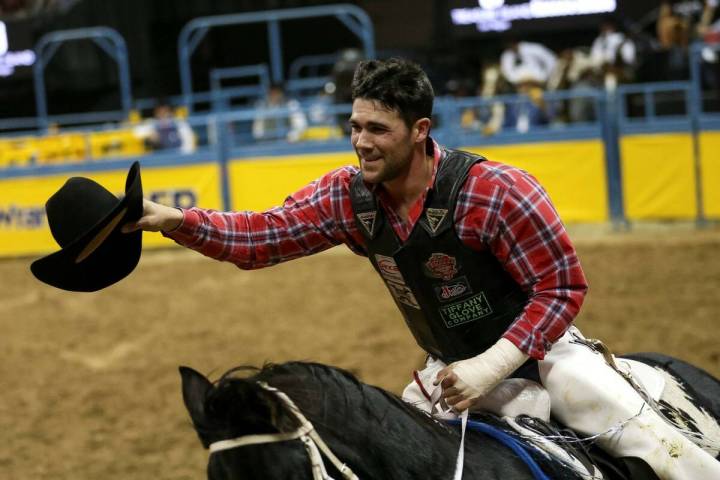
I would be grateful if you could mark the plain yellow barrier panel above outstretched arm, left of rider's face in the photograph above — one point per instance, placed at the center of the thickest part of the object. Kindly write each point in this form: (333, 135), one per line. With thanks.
(261, 183)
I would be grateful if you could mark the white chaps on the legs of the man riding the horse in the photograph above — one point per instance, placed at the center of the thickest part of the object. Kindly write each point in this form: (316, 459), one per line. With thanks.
(587, 395)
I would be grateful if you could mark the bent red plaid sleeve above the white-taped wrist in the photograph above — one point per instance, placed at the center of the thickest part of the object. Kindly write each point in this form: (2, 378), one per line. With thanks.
(505, 210)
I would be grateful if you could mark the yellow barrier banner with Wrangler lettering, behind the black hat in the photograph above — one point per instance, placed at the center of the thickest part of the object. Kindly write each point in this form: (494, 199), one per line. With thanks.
(23, 224)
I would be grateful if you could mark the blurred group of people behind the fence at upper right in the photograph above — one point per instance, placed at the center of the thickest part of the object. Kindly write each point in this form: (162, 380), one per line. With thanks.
(620, 54)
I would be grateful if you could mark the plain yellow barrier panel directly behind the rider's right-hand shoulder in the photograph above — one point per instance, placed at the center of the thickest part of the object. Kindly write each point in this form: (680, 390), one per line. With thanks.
(572, 172)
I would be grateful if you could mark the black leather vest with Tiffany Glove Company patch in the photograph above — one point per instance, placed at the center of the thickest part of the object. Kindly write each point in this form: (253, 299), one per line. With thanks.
(456, 301)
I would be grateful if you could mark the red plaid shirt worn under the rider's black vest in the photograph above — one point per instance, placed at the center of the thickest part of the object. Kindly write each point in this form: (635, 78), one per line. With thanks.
(500, 208)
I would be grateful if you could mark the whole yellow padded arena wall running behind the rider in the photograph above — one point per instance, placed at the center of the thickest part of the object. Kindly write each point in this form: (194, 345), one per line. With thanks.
(658, 183)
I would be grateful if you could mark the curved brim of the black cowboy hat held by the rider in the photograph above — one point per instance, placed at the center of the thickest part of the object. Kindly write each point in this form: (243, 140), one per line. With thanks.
(104, 254)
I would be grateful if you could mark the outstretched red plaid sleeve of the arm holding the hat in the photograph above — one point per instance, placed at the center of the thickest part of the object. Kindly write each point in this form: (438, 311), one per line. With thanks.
(313, 219)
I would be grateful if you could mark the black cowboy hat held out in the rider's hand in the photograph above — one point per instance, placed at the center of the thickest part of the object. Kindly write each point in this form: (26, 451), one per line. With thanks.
(85, 219)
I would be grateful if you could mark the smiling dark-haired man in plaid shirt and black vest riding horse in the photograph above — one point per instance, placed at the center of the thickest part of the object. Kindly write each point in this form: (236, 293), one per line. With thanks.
(472, 251)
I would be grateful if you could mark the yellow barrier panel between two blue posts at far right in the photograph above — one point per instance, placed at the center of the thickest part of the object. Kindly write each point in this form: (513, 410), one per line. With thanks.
(658, 176)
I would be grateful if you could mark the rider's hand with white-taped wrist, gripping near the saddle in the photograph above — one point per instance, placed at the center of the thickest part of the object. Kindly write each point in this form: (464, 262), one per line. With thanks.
(465, 381)
